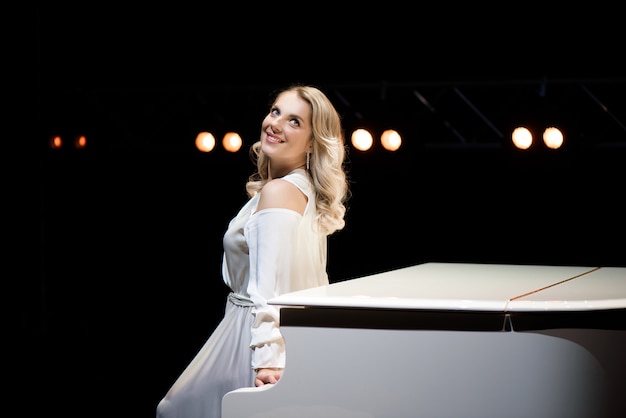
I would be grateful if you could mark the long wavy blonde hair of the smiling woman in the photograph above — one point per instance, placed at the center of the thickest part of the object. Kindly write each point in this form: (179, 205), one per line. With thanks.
(327, 161)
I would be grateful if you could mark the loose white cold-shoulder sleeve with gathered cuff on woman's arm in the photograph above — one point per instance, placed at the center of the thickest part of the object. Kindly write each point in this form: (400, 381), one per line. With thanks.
(272, 236)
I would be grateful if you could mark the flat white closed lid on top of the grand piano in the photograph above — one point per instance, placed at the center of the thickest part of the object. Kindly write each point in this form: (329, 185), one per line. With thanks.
(473, 287)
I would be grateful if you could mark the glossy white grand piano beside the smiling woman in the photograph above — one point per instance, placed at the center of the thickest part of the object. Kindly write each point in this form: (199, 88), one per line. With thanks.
(451, 340)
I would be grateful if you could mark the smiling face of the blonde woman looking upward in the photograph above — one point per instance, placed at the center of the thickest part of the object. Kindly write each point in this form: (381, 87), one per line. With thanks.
(286, 130)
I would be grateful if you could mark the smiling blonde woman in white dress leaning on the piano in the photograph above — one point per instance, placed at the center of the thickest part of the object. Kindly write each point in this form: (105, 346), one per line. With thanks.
(276, 244)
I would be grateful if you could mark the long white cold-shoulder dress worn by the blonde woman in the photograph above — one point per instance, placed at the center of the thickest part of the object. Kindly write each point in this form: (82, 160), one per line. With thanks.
(266, 253)
